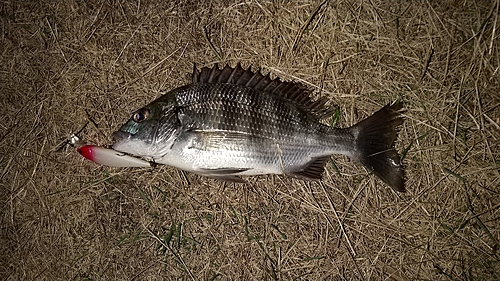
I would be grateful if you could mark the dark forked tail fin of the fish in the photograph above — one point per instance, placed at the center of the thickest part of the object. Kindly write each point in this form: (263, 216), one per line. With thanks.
(374, 144)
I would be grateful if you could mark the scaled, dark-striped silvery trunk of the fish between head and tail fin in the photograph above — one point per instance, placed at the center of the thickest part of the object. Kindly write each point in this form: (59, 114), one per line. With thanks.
(237, 128)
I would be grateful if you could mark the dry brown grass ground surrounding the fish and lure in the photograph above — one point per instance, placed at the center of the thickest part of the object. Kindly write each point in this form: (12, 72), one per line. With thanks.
(65, 64)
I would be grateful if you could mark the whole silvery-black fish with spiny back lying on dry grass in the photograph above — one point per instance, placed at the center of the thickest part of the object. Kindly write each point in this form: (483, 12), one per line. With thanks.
(231, 122)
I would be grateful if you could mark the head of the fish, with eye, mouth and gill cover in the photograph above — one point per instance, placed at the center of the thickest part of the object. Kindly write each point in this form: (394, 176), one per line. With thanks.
(150, 132)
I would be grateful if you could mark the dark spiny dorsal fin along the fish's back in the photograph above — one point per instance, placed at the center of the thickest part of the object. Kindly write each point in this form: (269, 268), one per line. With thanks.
(291, 91)
